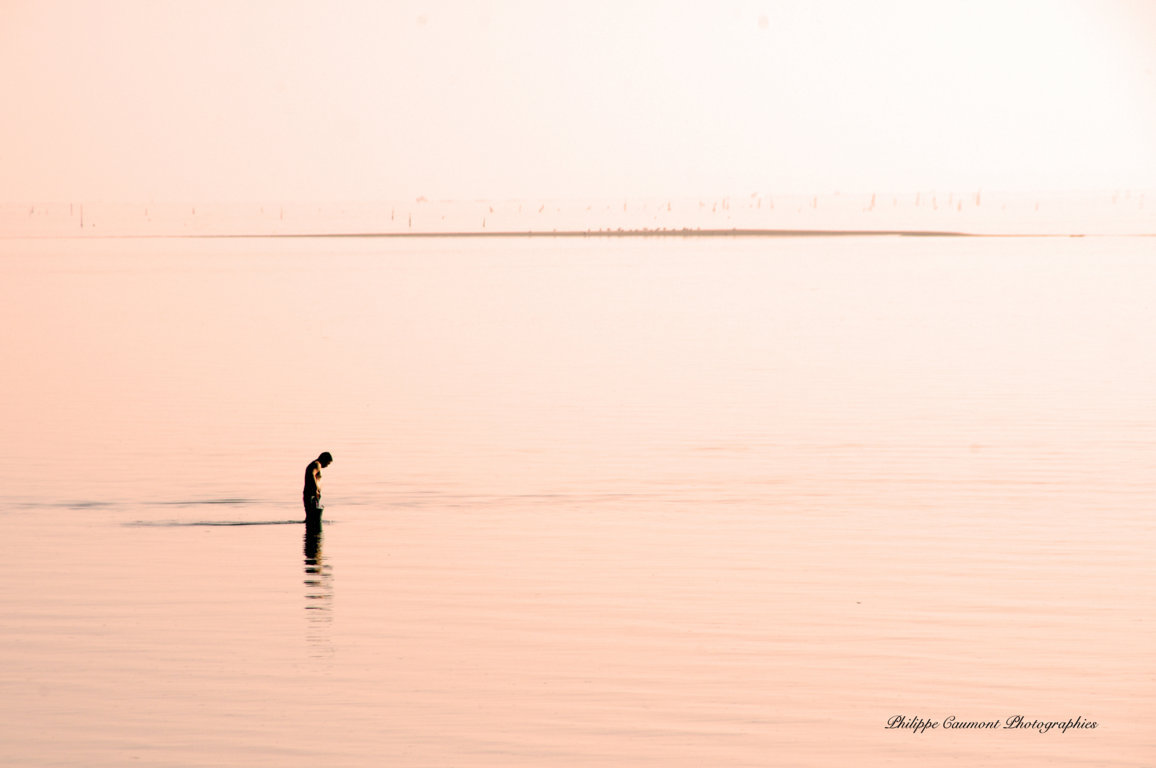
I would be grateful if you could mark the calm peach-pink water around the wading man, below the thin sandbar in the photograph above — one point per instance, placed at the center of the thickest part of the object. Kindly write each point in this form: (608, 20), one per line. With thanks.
(595, 503)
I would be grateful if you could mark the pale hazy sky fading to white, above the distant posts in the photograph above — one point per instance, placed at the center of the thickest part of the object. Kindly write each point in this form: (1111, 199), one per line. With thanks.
(359, 100)
